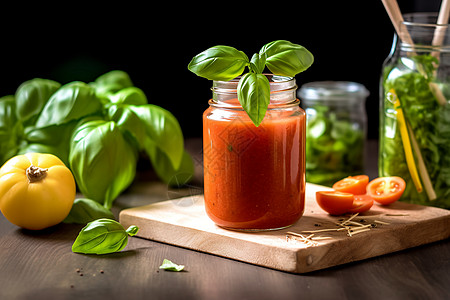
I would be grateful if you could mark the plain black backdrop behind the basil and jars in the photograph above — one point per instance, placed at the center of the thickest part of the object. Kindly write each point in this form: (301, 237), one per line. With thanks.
(154, 44)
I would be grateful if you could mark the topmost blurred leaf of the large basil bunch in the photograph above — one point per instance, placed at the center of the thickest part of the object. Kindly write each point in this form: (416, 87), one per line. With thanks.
(111, 82)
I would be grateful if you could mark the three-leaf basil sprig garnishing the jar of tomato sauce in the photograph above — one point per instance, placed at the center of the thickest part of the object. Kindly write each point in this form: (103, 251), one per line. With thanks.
(223, 63)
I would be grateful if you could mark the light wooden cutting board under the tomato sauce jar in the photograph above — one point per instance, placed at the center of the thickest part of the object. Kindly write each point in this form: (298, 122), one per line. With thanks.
(183, 222)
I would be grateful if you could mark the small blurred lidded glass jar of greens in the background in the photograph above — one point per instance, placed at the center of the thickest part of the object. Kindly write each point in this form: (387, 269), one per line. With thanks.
(336, 129)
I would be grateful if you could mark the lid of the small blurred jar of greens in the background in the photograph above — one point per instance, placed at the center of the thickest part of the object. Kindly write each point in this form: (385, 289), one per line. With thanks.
(336, 91)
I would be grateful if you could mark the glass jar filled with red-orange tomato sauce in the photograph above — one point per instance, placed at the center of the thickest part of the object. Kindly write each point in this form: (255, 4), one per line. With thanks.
(254, 177)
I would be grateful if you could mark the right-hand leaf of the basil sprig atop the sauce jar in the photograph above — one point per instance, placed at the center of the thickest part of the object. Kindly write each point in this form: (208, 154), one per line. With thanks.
(285, 58)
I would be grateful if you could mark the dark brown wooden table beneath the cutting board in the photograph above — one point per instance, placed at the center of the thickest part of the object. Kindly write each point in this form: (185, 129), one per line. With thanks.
(41, 265)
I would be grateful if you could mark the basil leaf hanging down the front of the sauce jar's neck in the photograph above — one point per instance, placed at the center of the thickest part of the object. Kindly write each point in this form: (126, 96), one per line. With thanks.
(254, 95)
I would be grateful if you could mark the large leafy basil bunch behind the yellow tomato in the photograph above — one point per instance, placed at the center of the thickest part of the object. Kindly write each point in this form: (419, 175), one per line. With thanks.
(98, 129)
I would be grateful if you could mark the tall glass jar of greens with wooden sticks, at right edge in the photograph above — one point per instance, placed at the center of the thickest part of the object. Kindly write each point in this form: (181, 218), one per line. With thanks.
(415, 83)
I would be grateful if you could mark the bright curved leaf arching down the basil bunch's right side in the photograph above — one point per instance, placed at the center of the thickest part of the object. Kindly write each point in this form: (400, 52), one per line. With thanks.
(163, 130)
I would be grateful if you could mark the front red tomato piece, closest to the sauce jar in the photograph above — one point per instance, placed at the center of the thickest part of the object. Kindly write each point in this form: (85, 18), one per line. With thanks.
(334, 202)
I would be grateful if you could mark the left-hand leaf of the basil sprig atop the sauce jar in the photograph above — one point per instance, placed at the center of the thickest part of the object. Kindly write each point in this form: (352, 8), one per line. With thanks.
(219, 63)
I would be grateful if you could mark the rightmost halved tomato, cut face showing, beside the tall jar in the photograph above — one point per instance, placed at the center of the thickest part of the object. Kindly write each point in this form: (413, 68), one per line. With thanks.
(386, 190)
